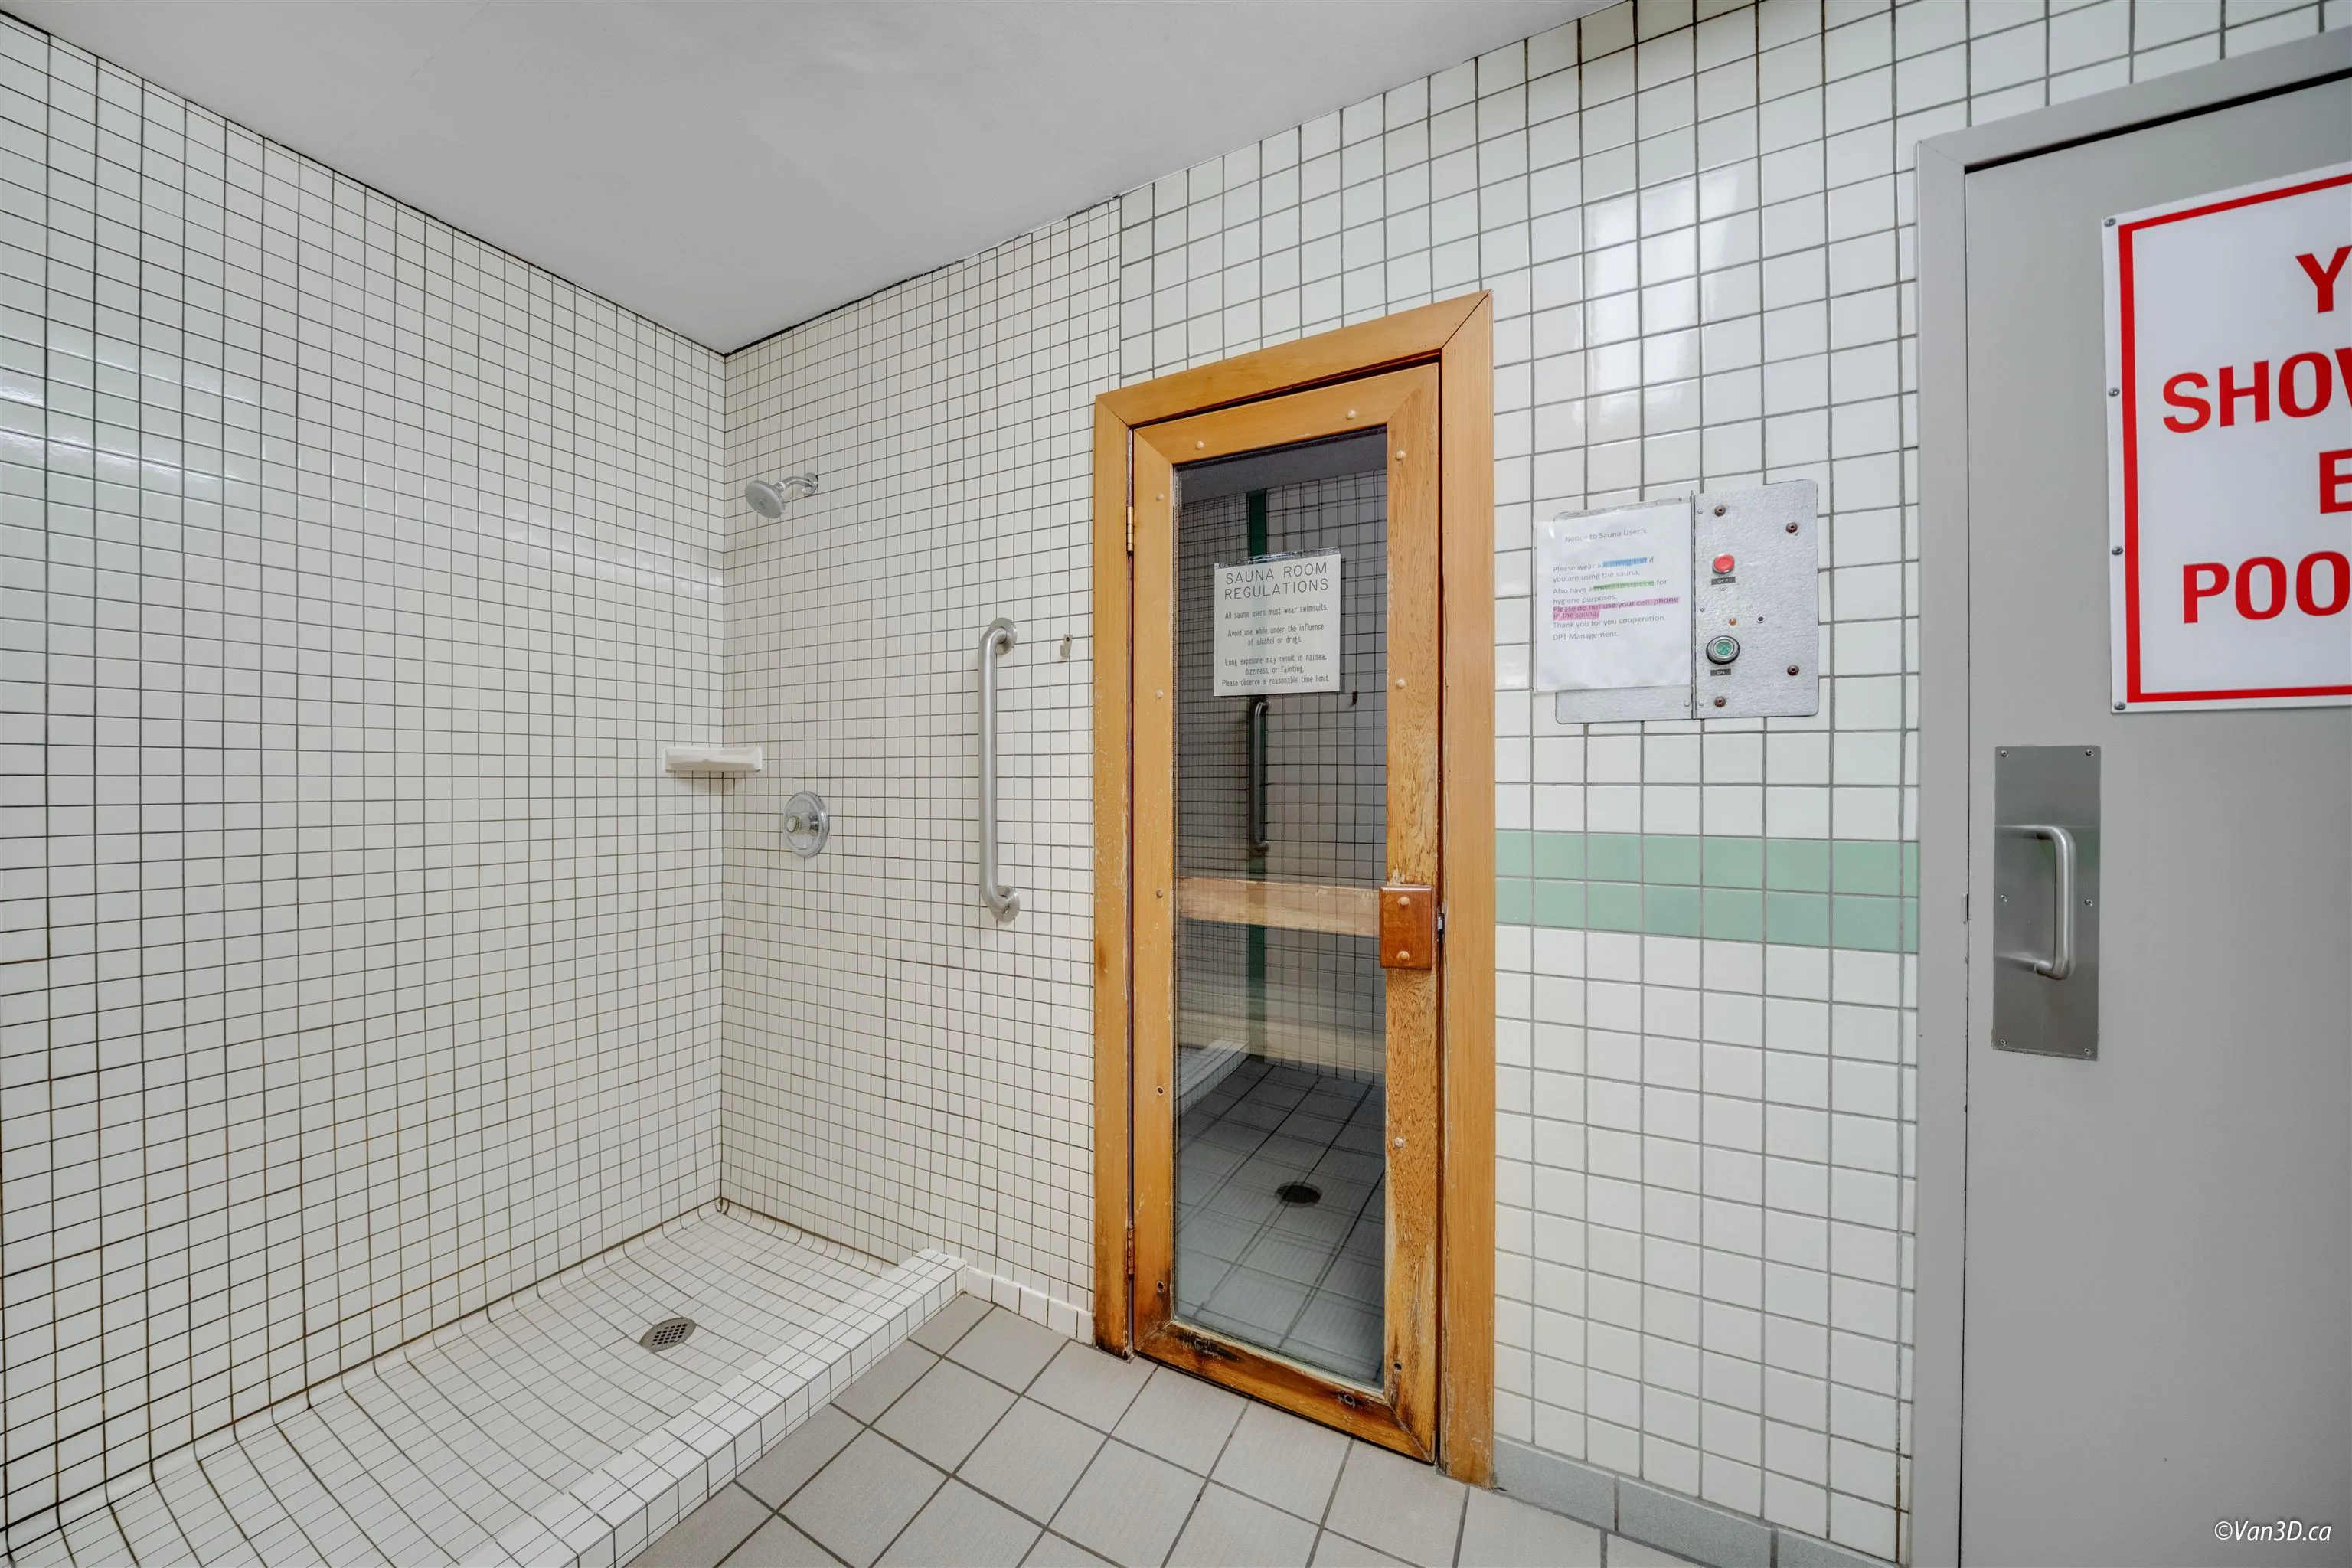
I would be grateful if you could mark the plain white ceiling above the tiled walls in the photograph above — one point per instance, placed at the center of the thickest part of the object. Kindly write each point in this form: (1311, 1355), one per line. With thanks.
(730, 168)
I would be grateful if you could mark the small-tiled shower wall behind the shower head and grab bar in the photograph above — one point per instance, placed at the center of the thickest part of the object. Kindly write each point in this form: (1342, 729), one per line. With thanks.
(902, 1068)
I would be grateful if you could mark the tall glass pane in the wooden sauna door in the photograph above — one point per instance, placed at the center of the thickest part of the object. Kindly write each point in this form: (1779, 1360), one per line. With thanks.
(1281, 843)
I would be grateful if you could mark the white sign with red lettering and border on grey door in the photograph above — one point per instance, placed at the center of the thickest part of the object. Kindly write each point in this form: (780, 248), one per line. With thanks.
(2231, 448)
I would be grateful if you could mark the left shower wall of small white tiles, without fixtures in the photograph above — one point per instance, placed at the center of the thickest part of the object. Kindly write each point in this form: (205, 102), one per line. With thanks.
(356, 958)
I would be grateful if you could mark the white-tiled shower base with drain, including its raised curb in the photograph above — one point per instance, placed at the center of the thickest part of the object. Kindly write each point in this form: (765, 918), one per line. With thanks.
(542, 1409)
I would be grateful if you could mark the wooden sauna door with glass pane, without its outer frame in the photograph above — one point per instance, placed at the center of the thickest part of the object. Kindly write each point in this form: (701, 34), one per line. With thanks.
(1288, 887)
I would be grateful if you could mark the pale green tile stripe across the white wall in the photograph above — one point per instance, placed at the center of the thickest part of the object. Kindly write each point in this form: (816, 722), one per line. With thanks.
(1803, 892)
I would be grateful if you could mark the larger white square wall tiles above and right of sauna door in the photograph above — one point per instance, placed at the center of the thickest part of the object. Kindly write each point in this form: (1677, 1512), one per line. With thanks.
(1697, 222)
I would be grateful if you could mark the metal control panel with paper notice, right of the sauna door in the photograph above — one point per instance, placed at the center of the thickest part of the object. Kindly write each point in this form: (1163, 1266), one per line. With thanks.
(1633, 629)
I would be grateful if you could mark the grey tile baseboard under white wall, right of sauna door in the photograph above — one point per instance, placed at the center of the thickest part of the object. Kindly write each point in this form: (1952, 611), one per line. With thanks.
(1662, 1520)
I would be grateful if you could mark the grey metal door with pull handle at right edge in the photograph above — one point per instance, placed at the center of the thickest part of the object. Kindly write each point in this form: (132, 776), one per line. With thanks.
(2158, 1318)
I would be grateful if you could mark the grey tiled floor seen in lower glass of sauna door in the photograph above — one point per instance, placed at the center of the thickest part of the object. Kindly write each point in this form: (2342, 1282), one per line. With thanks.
(1297, 1280)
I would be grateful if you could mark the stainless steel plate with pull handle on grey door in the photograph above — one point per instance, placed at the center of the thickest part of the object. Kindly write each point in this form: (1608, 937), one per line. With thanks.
(2045, 899)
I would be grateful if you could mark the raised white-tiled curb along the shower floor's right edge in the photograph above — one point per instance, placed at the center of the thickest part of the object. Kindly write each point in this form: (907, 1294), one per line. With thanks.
(620, 1508)
